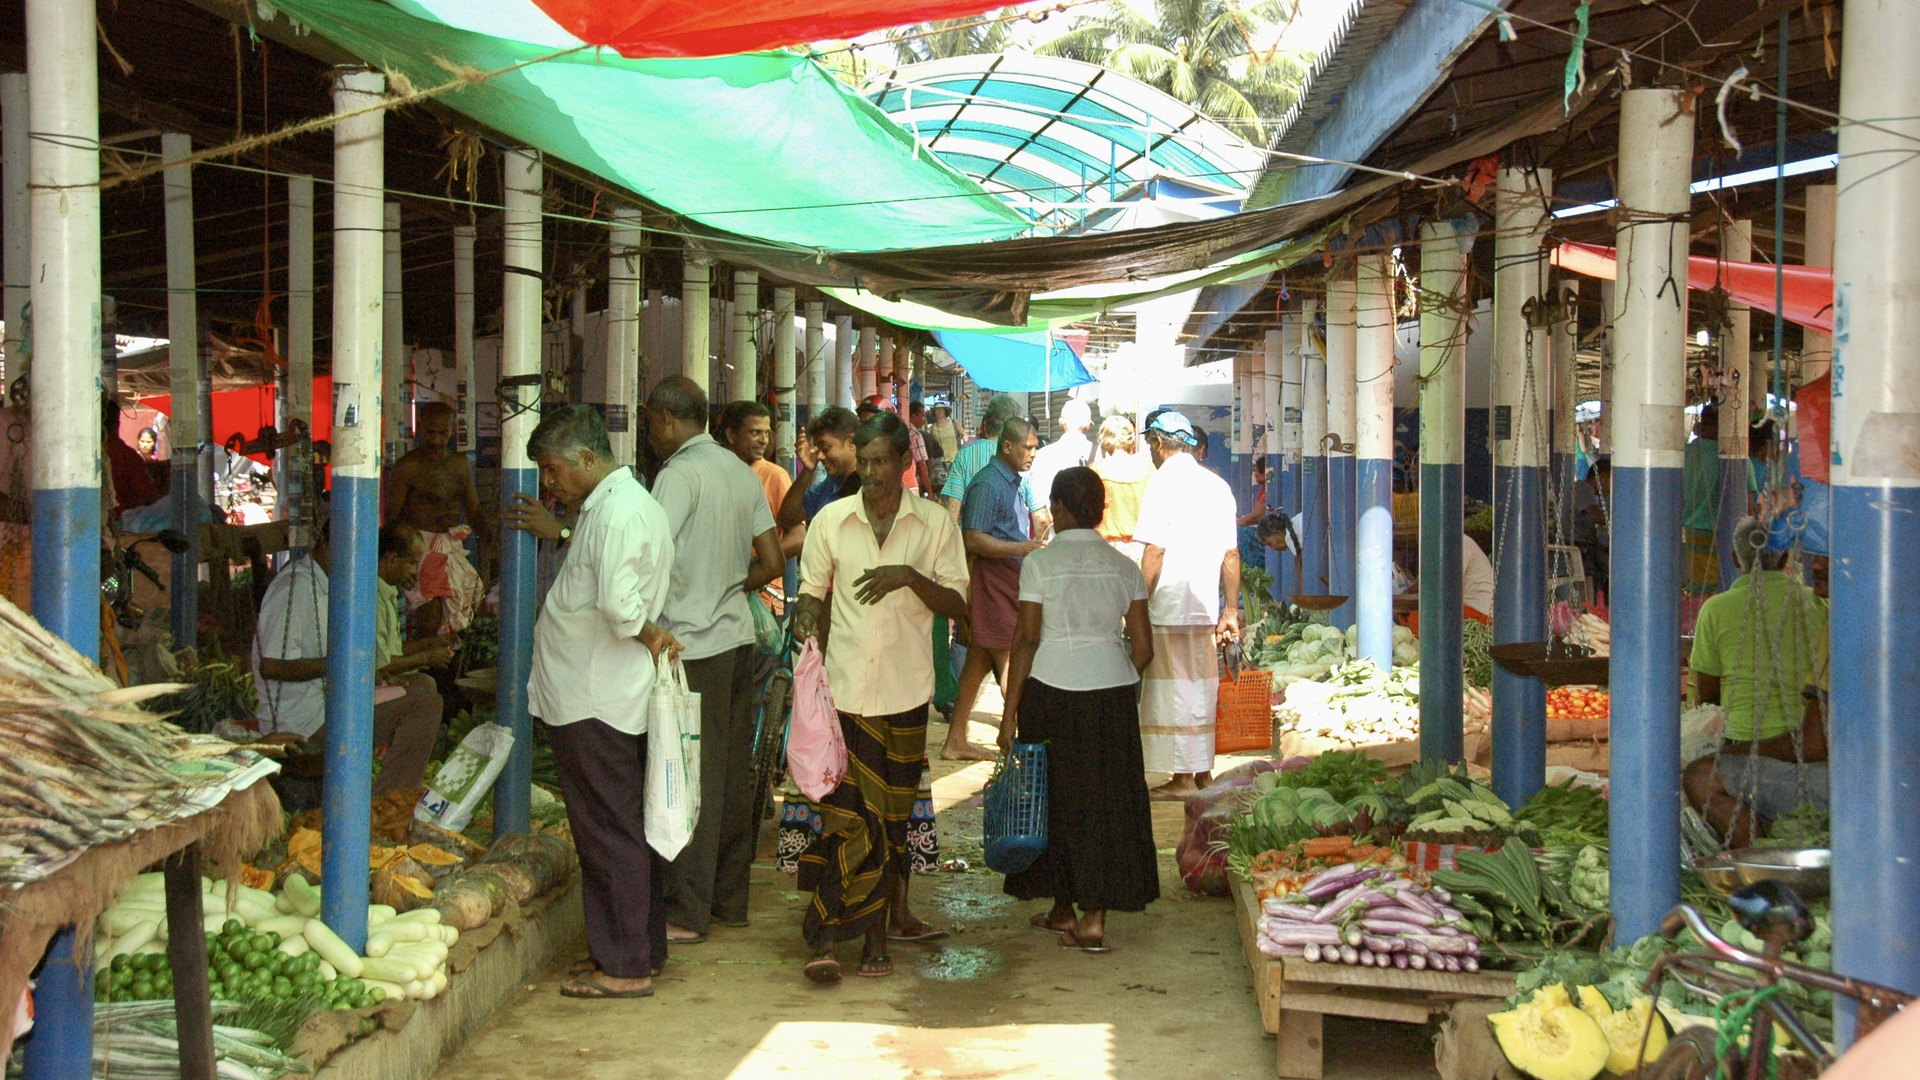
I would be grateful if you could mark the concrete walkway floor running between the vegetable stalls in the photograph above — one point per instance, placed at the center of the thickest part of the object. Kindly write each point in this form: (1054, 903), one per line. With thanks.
(997, 1000)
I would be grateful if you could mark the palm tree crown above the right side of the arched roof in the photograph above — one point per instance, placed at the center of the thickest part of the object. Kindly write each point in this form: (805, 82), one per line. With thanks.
(1201, 53)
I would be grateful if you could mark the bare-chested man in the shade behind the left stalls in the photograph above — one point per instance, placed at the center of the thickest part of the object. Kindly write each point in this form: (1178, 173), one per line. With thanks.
(433, 489)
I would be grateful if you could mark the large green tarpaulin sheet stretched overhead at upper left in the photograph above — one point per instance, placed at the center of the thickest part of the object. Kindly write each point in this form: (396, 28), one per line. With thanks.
(761, 145)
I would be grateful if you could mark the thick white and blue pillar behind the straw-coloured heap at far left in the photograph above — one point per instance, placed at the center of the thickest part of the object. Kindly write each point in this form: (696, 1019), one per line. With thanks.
(64, 205)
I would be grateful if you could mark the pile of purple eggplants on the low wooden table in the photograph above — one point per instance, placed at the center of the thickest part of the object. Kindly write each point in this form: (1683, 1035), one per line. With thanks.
(1370, 918)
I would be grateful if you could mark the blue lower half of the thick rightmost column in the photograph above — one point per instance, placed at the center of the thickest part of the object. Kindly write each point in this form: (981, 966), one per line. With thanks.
(1875, 739)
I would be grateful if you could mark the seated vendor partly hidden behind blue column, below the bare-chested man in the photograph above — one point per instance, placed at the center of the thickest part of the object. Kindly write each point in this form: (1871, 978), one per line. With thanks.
(291, 664)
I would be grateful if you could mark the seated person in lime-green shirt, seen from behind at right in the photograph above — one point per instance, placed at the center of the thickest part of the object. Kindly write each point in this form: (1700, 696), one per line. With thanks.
(1764, 662)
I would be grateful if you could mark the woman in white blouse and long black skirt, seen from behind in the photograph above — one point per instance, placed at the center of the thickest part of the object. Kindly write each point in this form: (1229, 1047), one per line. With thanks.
(1074, 685)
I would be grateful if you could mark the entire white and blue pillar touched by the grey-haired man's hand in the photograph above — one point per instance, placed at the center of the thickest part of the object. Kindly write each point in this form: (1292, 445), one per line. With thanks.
(519, 355)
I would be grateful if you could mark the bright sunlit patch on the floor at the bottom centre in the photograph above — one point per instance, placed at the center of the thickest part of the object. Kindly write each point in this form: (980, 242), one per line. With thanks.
(805, 1050)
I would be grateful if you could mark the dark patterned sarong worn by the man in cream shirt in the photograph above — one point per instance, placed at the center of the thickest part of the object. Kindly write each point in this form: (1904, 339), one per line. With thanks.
(863, 841)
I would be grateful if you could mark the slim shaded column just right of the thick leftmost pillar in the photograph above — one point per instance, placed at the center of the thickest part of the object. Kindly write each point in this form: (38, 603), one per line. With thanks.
(187, 428)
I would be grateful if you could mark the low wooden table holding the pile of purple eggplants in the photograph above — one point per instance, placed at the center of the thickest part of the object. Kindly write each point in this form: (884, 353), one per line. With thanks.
(1295, 994)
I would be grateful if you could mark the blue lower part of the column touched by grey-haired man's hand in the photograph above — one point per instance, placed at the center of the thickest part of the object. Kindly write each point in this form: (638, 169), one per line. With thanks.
(517, 589)
